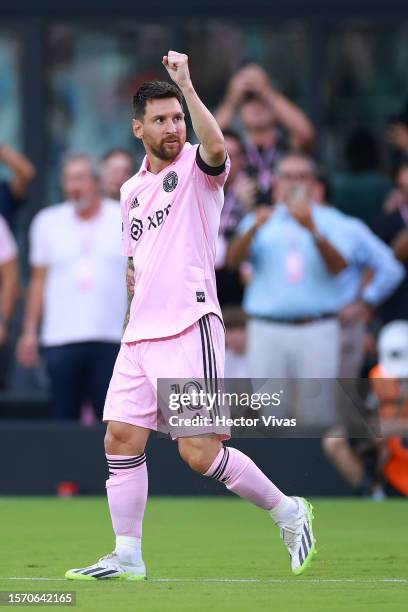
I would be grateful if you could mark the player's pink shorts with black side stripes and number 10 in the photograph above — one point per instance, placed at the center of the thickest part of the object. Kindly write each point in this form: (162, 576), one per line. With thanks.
(196, 355)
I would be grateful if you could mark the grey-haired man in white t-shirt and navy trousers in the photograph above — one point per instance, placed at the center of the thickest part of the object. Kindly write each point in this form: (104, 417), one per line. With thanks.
(77, 287)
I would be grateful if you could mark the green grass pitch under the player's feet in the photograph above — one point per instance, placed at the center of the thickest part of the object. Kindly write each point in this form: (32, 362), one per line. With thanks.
(360, 546)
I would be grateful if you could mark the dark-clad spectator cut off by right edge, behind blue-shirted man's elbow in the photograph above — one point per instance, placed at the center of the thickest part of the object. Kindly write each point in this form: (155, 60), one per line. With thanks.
(391, 227)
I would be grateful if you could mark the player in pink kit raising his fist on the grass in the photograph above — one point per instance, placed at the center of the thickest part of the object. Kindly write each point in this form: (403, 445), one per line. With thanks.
(171, 210)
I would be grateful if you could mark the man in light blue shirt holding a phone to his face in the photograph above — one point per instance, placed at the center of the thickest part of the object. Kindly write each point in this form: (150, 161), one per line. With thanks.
(296, 250)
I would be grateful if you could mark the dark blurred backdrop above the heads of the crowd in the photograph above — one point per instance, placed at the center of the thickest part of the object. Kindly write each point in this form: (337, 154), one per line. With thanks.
(68, 72)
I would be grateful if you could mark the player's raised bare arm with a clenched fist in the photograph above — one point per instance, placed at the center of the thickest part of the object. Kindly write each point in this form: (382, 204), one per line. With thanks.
(212, 148)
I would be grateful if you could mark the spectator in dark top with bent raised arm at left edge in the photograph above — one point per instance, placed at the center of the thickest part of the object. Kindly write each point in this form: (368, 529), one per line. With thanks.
(13, 190)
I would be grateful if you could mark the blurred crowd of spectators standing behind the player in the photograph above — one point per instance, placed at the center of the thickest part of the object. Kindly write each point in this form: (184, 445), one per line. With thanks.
(310, 267)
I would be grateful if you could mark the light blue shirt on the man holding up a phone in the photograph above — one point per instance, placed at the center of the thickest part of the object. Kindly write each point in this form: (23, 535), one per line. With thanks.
(290, 279)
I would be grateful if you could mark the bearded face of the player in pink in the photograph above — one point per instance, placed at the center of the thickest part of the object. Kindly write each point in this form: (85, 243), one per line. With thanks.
(163, 128)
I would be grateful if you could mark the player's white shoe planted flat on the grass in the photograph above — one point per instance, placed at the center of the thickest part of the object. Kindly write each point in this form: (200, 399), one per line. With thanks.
(108, 568)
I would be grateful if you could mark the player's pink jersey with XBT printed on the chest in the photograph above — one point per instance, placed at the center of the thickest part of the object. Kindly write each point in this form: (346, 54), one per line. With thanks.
(170, 228)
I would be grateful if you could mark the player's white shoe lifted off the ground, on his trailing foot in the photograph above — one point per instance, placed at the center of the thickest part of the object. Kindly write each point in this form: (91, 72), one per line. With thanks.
(298, 536)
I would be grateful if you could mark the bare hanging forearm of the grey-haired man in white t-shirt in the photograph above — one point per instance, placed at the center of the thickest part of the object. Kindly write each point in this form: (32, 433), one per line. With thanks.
(27, 346)
